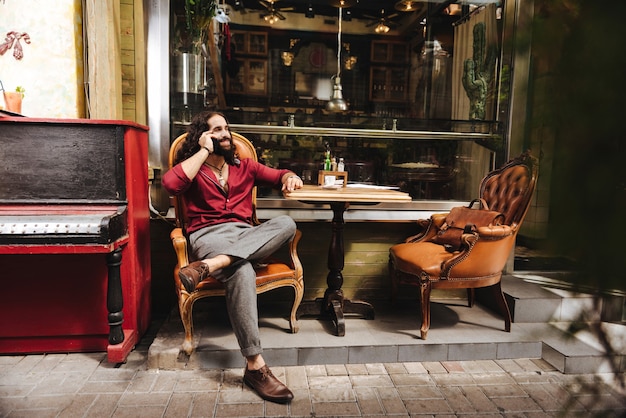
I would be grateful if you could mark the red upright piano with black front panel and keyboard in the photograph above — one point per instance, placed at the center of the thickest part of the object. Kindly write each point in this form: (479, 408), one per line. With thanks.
(74, 236)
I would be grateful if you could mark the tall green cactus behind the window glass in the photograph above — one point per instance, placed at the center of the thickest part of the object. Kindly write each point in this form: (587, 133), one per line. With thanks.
(478, 72)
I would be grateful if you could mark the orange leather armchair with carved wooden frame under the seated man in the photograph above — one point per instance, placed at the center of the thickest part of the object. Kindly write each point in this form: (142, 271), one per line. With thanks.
(271, 274)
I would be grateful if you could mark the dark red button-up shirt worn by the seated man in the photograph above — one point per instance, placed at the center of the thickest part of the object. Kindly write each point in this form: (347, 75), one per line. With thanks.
(208, 204)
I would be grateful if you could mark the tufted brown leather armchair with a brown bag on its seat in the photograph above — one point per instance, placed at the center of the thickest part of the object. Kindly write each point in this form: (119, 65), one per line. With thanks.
(421, 262)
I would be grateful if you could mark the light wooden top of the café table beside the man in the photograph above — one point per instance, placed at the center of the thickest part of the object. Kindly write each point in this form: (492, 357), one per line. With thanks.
(346, 194)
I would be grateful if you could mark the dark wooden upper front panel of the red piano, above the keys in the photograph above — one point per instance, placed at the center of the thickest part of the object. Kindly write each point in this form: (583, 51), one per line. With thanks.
(61, 163)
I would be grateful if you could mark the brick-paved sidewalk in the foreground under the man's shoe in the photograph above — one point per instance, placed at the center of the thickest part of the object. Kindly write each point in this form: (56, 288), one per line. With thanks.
(85, 385)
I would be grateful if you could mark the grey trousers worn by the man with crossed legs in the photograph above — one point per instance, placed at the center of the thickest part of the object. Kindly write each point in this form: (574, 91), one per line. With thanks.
(246, 244)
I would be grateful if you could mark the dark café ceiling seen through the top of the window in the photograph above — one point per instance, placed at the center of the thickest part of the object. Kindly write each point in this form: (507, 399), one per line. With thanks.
(359, 9)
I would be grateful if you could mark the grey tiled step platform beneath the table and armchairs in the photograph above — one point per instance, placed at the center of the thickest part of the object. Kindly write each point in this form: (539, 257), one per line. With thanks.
(457, 333)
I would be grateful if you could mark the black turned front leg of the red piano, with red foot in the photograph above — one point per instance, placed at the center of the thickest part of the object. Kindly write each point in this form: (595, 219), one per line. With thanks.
(121, 342)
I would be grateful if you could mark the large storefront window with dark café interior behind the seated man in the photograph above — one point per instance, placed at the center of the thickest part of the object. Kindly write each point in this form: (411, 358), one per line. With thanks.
(422, 97)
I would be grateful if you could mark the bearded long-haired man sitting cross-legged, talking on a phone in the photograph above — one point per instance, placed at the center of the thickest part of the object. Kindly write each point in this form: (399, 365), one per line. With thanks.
(217, 189)
